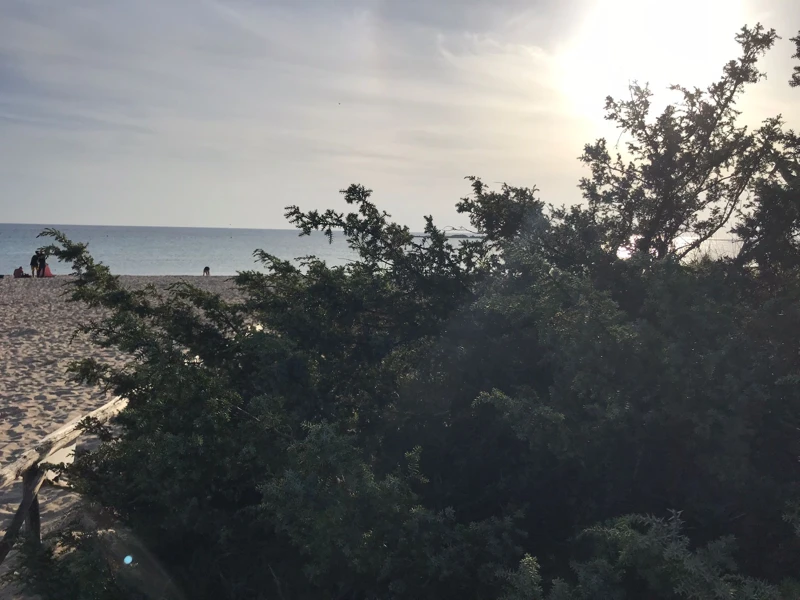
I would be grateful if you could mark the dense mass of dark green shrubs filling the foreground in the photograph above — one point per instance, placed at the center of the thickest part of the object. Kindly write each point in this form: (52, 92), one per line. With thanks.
(531, 414)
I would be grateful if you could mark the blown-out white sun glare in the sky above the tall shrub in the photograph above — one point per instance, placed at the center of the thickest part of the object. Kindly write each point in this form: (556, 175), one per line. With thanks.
(681, 41)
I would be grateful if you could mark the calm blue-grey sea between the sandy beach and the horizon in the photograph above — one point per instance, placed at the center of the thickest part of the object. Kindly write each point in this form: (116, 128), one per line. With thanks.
(170, 250)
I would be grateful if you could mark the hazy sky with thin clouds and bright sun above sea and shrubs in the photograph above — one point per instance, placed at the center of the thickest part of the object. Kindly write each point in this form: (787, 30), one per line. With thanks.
(219, 113)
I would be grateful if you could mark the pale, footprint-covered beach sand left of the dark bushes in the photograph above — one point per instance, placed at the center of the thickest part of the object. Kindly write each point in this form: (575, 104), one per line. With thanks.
(36, 327)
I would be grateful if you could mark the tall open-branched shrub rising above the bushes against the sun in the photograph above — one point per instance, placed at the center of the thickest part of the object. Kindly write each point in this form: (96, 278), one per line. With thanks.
(689, 169)
